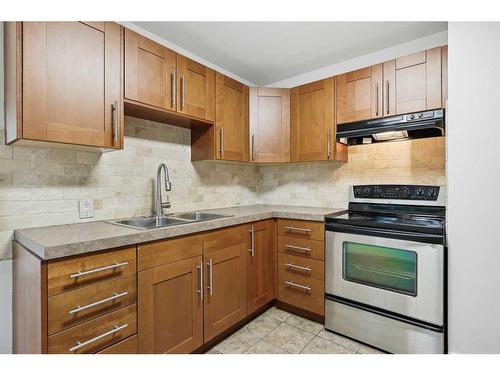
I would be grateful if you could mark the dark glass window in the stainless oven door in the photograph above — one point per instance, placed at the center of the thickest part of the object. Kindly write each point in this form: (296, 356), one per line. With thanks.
(380, 267)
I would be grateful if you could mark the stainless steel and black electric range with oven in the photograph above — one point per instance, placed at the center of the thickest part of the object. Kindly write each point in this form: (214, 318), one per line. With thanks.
(386, 267)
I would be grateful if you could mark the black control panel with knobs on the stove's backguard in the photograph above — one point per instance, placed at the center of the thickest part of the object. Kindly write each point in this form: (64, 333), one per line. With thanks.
(404, 192)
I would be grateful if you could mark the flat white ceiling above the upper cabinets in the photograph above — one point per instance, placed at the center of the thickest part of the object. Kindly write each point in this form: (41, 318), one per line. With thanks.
(267, 52)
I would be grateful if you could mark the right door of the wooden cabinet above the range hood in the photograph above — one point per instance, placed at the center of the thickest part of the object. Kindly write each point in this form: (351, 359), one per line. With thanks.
(418, 81)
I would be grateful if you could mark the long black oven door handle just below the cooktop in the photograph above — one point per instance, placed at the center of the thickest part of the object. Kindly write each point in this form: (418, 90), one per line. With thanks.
(386, 233)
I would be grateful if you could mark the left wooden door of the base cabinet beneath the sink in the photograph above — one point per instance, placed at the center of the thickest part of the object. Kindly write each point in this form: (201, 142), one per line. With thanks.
(171, 307)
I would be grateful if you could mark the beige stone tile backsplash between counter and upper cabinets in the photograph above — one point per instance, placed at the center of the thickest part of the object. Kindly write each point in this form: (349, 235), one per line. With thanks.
(42, 186)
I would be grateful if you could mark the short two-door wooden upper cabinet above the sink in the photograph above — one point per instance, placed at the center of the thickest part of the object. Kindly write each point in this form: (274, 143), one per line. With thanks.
(161, 85)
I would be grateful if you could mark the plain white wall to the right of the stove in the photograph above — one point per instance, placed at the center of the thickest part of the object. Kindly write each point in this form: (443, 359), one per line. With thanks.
(473, 187)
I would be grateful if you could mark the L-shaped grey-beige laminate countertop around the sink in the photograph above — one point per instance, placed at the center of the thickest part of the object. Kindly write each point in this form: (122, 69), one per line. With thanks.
(65, 240)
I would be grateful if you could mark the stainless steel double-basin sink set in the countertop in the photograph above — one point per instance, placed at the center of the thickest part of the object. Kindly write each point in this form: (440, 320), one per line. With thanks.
(152, 222)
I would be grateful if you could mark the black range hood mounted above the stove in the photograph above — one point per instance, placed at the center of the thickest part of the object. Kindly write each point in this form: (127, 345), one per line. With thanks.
(410, 126)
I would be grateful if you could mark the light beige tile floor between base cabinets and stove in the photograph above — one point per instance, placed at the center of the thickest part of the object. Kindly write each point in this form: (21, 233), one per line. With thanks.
(280, 332)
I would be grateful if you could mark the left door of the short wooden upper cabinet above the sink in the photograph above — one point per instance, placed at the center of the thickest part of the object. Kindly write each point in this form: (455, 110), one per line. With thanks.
(149, 72)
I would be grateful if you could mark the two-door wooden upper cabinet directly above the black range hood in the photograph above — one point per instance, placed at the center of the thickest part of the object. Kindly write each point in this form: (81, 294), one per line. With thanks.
(407, 84)
